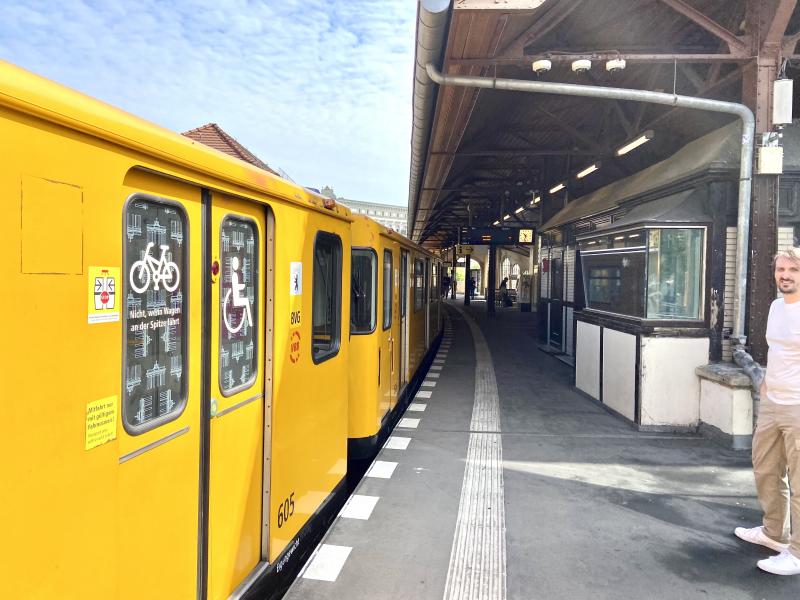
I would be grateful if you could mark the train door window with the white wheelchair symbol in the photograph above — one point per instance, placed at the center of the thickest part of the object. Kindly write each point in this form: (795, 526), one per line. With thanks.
(238, 358)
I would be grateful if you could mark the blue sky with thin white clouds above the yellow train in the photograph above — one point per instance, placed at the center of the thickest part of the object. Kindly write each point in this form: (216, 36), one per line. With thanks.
(321, 89)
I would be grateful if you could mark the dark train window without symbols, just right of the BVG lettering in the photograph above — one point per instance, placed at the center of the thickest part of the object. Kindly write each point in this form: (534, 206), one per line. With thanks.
(326, 297)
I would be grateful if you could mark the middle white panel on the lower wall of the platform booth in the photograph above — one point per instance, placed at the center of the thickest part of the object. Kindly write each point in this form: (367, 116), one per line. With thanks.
(619, 372)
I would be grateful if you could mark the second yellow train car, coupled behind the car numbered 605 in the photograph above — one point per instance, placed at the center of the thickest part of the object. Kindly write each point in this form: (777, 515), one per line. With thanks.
(395, 327)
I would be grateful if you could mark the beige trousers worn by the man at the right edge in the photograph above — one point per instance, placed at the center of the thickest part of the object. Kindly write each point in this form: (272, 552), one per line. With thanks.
(776, 464)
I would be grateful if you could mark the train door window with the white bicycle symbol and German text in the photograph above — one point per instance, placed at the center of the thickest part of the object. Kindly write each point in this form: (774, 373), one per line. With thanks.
(155, 290)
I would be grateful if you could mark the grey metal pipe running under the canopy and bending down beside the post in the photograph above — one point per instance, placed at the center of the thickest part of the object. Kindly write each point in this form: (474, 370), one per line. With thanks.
(593, 91)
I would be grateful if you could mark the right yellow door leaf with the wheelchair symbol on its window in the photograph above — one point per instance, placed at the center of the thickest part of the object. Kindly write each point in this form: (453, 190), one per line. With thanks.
(238, 478)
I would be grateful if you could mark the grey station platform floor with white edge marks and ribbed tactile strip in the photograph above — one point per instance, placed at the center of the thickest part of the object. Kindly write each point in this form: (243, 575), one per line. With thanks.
(503, 482)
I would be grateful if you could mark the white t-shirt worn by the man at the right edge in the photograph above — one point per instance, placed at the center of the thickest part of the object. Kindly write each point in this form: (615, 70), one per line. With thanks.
(783, 360)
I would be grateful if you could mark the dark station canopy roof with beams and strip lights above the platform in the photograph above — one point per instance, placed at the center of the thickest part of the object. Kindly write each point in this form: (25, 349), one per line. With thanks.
(497, 158)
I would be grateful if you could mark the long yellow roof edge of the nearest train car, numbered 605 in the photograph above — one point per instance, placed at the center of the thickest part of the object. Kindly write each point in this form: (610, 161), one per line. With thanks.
(26, 92)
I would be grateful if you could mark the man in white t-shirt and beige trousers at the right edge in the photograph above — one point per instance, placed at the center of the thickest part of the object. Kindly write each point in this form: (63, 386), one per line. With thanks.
(776, 441)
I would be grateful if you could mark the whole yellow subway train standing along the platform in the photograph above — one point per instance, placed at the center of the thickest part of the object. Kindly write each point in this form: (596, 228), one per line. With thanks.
(194, 348)
